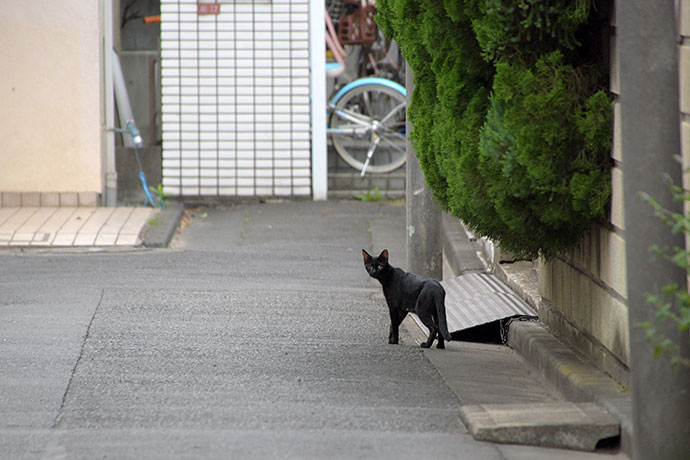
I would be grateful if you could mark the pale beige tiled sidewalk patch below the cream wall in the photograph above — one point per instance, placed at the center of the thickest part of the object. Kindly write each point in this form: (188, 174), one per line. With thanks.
(72, 226)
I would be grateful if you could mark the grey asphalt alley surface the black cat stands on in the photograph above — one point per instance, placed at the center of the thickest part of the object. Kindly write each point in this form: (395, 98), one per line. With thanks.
(257, 334)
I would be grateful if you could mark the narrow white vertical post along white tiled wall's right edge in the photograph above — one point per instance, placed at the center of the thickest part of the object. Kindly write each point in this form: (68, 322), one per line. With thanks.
(317, 53)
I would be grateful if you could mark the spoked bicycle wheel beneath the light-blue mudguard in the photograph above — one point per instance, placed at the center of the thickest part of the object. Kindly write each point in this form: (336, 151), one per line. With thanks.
(368, 121)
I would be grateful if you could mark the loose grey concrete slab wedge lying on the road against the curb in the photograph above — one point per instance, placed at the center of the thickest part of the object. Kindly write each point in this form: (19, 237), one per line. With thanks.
(563, 425)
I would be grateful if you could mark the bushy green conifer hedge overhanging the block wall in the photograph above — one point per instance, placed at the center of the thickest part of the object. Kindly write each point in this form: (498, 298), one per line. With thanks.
(510, 119)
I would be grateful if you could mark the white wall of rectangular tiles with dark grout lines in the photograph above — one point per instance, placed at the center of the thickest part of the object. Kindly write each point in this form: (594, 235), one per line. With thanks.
(236, 108)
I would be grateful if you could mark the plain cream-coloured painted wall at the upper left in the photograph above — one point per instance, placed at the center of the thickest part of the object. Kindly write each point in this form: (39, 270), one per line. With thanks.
(50, 96)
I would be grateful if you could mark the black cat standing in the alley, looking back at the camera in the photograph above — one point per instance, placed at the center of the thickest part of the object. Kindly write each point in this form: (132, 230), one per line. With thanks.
(407, 292)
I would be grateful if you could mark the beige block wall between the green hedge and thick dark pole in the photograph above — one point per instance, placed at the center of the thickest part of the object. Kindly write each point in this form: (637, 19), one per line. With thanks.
(584, 292)
